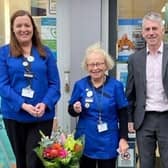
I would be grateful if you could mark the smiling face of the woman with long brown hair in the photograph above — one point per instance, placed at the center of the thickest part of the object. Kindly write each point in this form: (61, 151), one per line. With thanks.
(23, 29)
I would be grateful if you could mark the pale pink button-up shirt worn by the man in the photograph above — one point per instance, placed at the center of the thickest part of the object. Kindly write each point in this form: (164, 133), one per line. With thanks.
(156, 99)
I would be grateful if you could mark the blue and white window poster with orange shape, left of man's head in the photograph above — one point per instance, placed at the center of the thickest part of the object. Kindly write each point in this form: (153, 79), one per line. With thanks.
(129, 38)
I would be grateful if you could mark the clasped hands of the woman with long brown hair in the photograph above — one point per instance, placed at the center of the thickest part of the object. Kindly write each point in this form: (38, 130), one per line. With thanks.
(36, 111)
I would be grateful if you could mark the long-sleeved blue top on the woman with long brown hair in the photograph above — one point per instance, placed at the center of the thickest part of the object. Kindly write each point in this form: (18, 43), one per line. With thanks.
(45, 84)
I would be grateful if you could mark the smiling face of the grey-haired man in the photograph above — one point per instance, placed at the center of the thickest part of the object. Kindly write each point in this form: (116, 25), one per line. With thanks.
(153, 33)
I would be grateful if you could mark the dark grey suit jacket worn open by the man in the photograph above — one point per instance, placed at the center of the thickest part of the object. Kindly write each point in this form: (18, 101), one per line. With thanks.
(136, 84)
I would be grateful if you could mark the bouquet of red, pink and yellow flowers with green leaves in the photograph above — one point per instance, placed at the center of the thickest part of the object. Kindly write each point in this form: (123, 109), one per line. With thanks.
(60, 150)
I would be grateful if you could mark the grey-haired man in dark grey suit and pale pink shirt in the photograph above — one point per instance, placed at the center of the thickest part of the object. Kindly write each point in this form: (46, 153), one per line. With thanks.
(147, 93)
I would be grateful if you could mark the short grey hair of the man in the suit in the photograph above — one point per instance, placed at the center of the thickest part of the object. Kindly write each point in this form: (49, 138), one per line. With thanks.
(153, 16)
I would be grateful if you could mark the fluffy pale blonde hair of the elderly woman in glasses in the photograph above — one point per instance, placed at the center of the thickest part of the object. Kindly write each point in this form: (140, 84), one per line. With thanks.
(96, 48)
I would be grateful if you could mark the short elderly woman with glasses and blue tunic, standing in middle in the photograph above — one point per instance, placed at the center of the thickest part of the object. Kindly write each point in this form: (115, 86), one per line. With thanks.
(100, 103)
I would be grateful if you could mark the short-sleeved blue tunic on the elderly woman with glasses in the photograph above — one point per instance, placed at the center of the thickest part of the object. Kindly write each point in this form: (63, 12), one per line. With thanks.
(105, 100)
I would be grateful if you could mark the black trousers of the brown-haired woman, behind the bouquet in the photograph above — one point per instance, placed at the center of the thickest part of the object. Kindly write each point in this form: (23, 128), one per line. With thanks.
(24, 137)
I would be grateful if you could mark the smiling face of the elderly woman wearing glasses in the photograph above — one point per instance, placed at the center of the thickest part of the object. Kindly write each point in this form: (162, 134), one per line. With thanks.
(96, 66)
